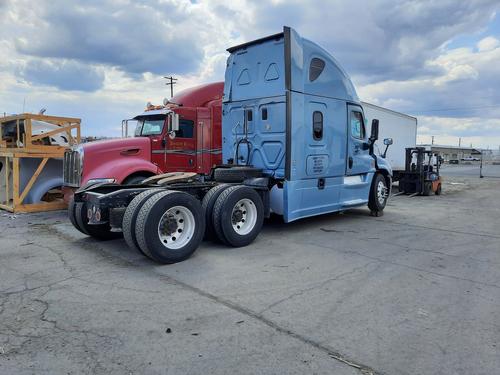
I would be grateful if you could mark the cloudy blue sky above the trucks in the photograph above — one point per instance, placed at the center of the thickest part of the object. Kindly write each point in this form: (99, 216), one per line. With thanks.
(102, 60)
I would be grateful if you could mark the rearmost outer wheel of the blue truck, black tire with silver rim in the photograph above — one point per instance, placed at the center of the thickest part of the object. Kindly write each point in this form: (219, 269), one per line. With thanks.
(187, 226)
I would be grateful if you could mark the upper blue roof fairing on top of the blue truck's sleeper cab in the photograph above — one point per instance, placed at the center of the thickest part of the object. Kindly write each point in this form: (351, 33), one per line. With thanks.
(291, 72)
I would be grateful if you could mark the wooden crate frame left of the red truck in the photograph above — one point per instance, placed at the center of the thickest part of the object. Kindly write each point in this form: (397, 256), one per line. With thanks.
(20, 146)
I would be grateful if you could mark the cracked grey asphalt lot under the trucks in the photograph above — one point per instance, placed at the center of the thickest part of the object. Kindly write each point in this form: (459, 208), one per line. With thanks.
(416, 291)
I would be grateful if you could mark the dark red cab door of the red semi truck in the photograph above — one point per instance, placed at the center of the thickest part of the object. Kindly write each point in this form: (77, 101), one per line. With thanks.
(181, 150)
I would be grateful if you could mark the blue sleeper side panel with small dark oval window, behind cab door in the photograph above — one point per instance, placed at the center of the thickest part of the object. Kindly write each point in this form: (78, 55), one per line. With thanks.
(317, 156)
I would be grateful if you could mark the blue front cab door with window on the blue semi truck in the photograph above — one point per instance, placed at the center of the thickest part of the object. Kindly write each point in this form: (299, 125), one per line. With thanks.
(359, 161)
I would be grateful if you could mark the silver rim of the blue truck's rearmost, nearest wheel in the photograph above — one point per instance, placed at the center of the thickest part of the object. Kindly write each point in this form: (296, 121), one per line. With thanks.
(176, 227)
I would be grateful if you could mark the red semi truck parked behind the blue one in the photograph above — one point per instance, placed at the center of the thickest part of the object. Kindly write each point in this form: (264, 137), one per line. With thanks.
(183, 135)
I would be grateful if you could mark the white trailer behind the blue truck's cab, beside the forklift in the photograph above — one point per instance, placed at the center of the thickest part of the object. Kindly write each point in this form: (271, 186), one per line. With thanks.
(398, 126)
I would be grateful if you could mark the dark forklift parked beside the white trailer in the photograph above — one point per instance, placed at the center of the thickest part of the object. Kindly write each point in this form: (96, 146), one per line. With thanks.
(421, 175)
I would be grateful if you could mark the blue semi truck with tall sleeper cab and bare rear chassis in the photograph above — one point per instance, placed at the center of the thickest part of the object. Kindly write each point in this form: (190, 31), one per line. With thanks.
(294, 143)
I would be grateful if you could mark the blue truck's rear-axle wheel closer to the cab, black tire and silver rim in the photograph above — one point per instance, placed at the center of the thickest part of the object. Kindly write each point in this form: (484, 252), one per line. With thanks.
(244, 203)
